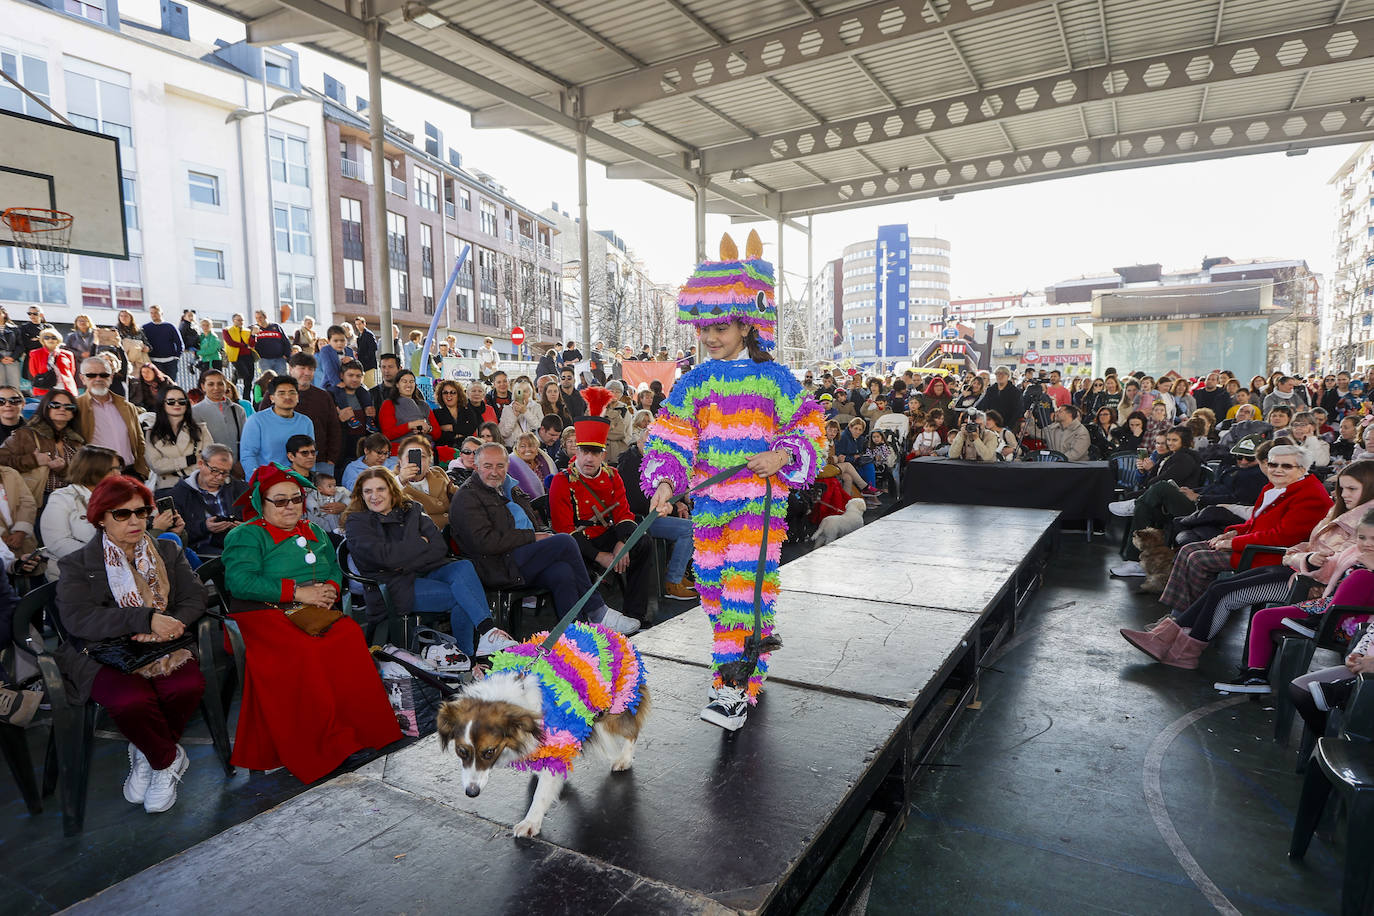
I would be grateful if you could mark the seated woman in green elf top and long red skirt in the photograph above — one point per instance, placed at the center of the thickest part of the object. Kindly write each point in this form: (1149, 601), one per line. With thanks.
(308, 701)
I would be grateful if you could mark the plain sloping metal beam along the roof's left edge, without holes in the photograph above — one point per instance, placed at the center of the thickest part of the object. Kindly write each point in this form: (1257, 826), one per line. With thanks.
(395, 45)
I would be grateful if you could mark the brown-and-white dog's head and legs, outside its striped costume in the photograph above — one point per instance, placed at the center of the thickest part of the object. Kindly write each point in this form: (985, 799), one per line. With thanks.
(501, 720)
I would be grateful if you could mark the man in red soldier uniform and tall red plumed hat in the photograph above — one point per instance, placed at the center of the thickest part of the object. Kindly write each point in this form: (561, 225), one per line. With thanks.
(589, 502)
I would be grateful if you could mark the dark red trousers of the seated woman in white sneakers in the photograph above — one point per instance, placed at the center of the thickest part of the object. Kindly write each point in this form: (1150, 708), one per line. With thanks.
(152, 712)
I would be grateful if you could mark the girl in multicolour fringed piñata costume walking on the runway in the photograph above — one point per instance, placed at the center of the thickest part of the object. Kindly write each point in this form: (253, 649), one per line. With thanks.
(737, 407)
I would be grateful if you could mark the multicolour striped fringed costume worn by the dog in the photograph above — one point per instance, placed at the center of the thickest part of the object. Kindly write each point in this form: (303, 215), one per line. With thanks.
(592, 672)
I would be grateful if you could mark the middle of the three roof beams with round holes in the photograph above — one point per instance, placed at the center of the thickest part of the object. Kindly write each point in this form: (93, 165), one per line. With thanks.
(1089, 84)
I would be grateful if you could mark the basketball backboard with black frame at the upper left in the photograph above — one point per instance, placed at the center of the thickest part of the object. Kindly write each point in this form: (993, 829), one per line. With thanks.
(50, 165)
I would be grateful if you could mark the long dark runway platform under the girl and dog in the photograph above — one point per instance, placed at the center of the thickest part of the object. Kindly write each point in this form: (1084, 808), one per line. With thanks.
(884, 632)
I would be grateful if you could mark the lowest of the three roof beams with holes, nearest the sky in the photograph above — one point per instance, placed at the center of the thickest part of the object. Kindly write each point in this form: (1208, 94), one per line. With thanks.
(1305, 128)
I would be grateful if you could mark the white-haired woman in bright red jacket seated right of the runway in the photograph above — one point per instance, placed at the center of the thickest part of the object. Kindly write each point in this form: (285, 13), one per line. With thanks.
(1289, 507)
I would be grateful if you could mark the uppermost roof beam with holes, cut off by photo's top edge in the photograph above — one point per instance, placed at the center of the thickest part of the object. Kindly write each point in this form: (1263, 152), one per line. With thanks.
(773, 53)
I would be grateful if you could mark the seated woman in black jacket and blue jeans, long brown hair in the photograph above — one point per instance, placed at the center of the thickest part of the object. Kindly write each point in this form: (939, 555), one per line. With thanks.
(392, 539)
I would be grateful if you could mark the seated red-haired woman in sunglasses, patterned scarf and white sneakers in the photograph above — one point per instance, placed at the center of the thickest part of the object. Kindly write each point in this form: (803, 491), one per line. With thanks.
(126, 583)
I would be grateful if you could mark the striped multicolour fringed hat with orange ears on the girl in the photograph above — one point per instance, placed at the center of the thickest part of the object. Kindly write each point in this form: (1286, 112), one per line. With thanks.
(733, 289)
